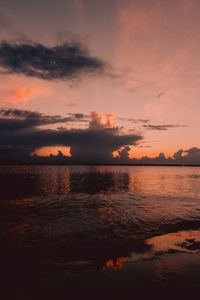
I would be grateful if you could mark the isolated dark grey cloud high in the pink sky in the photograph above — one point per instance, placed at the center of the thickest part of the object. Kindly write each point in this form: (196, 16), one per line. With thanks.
(66, 61)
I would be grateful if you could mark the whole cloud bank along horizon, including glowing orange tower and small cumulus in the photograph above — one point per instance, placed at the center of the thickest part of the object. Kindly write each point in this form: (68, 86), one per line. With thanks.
(22, 132)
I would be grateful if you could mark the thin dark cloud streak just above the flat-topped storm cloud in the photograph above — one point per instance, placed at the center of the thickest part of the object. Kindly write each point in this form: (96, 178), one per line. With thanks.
(15, 119)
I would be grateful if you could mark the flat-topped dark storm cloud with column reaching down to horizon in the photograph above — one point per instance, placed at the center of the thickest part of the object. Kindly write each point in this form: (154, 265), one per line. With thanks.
(86, 145)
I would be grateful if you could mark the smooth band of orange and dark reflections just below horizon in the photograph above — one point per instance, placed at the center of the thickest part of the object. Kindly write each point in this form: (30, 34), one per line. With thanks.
(37, 180)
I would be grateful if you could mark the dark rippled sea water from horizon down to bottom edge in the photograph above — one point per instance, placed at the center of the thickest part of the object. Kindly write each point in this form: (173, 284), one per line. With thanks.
(73, 232)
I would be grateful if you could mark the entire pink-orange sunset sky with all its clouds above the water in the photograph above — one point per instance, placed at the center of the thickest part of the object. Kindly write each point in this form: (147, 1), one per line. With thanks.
(100, 79)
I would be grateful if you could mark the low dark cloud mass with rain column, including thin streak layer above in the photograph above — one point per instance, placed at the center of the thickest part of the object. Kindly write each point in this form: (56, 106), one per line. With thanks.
(20, 136)
